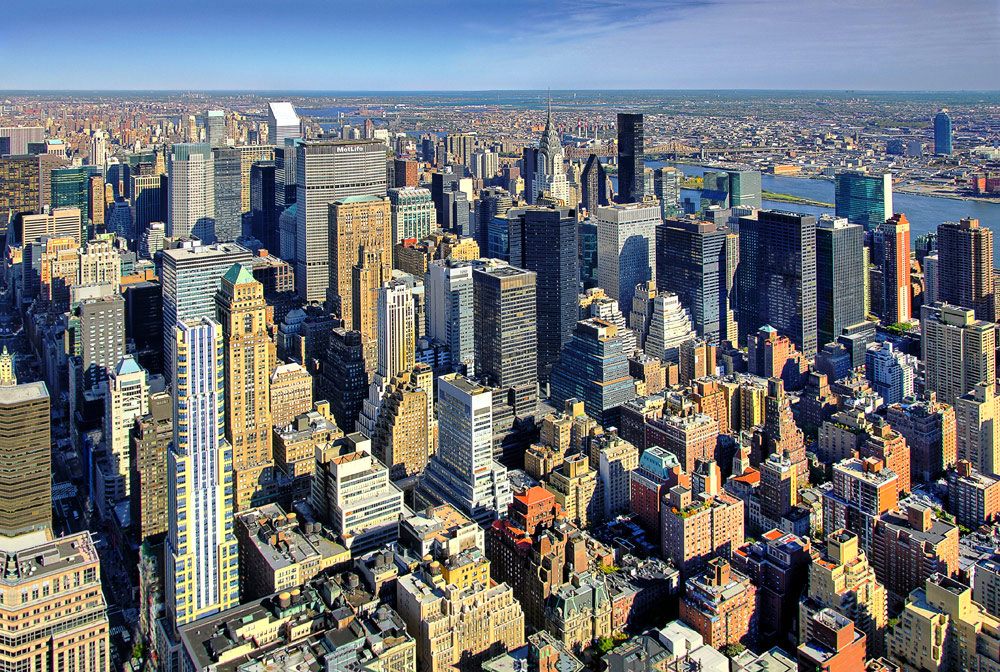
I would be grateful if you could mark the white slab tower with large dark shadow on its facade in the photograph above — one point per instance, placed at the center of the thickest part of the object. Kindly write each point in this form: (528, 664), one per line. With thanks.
(626, 248)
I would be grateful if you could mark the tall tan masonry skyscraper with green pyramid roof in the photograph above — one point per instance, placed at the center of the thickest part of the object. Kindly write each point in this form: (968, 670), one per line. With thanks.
(241, 312)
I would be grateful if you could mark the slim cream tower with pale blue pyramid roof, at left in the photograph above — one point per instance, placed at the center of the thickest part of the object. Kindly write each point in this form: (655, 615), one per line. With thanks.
(126, 397)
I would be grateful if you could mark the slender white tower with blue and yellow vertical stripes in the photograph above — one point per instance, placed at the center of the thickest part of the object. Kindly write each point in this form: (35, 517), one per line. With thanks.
(201, 553)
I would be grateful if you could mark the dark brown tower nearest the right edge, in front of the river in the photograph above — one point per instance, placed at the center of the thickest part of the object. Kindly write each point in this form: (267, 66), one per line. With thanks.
(965, 267)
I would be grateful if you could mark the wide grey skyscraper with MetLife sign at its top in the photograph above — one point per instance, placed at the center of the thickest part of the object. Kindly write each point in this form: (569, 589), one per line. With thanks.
(329, 171)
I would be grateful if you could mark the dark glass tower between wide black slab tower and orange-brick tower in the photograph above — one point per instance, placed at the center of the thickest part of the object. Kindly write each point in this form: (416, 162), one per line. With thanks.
(840, 283)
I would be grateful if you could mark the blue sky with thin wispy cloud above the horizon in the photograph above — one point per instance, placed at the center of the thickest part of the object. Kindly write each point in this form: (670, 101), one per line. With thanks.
(409, 45)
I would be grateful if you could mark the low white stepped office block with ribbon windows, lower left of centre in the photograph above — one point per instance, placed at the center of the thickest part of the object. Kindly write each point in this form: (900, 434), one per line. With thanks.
(353, 492)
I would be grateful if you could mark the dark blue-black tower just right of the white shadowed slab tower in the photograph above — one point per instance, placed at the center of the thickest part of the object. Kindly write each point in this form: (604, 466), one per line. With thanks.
(691, 260)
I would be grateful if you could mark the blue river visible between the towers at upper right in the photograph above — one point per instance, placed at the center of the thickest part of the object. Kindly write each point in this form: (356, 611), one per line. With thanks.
(923, 212)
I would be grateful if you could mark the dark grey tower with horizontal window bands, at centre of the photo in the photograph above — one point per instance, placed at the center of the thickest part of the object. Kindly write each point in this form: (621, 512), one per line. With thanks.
(506, 332)
